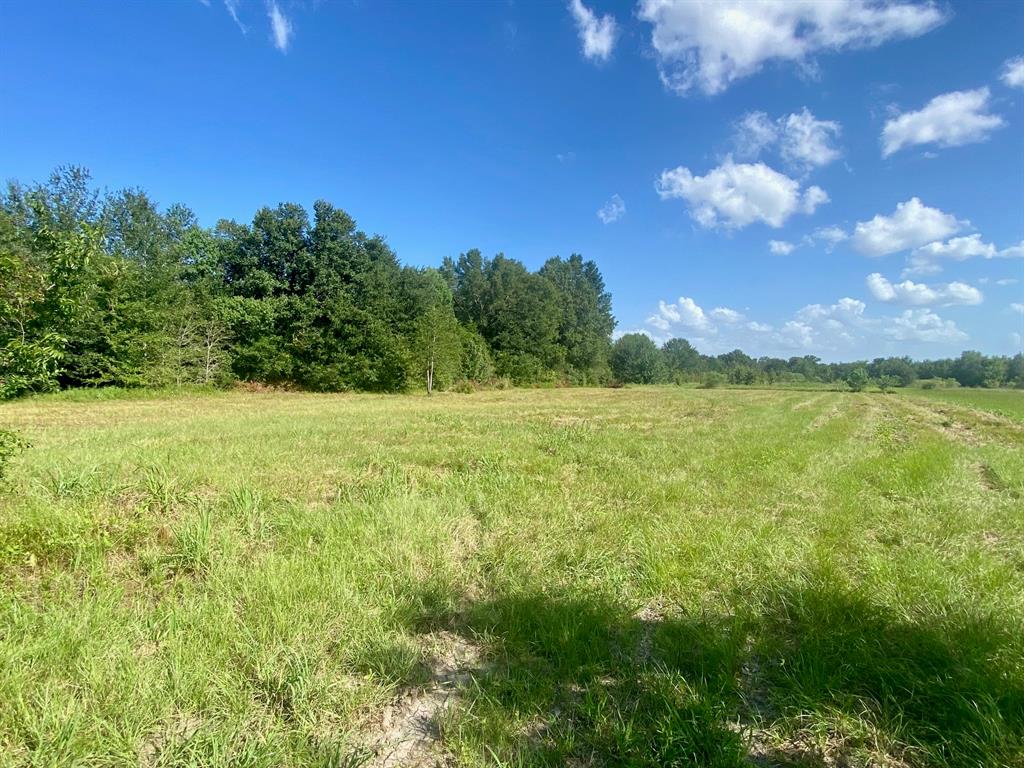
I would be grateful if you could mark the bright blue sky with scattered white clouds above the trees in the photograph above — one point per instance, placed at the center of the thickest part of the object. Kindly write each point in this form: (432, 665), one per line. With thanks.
(881, 146)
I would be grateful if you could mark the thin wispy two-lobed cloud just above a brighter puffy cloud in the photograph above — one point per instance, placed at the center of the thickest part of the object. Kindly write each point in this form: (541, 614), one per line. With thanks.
(802, 140)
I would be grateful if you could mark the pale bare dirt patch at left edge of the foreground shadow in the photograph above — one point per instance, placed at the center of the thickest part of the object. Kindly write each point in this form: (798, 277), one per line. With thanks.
(409, 734)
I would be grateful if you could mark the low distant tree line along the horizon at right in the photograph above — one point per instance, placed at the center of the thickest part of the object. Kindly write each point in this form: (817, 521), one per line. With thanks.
(636, 359)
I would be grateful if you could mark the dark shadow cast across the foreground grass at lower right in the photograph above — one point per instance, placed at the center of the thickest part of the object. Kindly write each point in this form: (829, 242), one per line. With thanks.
(822, 677)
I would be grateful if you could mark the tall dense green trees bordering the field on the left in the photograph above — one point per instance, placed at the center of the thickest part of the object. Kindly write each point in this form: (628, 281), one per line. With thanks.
(109, 290)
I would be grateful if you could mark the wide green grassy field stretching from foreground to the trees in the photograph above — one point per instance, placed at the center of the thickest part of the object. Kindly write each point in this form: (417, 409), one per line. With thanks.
(641, 577)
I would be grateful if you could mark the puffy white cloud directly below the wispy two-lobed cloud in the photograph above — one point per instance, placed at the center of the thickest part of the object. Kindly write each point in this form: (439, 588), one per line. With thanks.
(736, 195)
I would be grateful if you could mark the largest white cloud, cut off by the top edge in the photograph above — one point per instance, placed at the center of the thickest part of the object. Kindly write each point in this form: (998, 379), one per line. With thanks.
(709, 45)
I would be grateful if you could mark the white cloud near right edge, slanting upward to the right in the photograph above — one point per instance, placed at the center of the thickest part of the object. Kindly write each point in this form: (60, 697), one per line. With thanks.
(950, 120)
